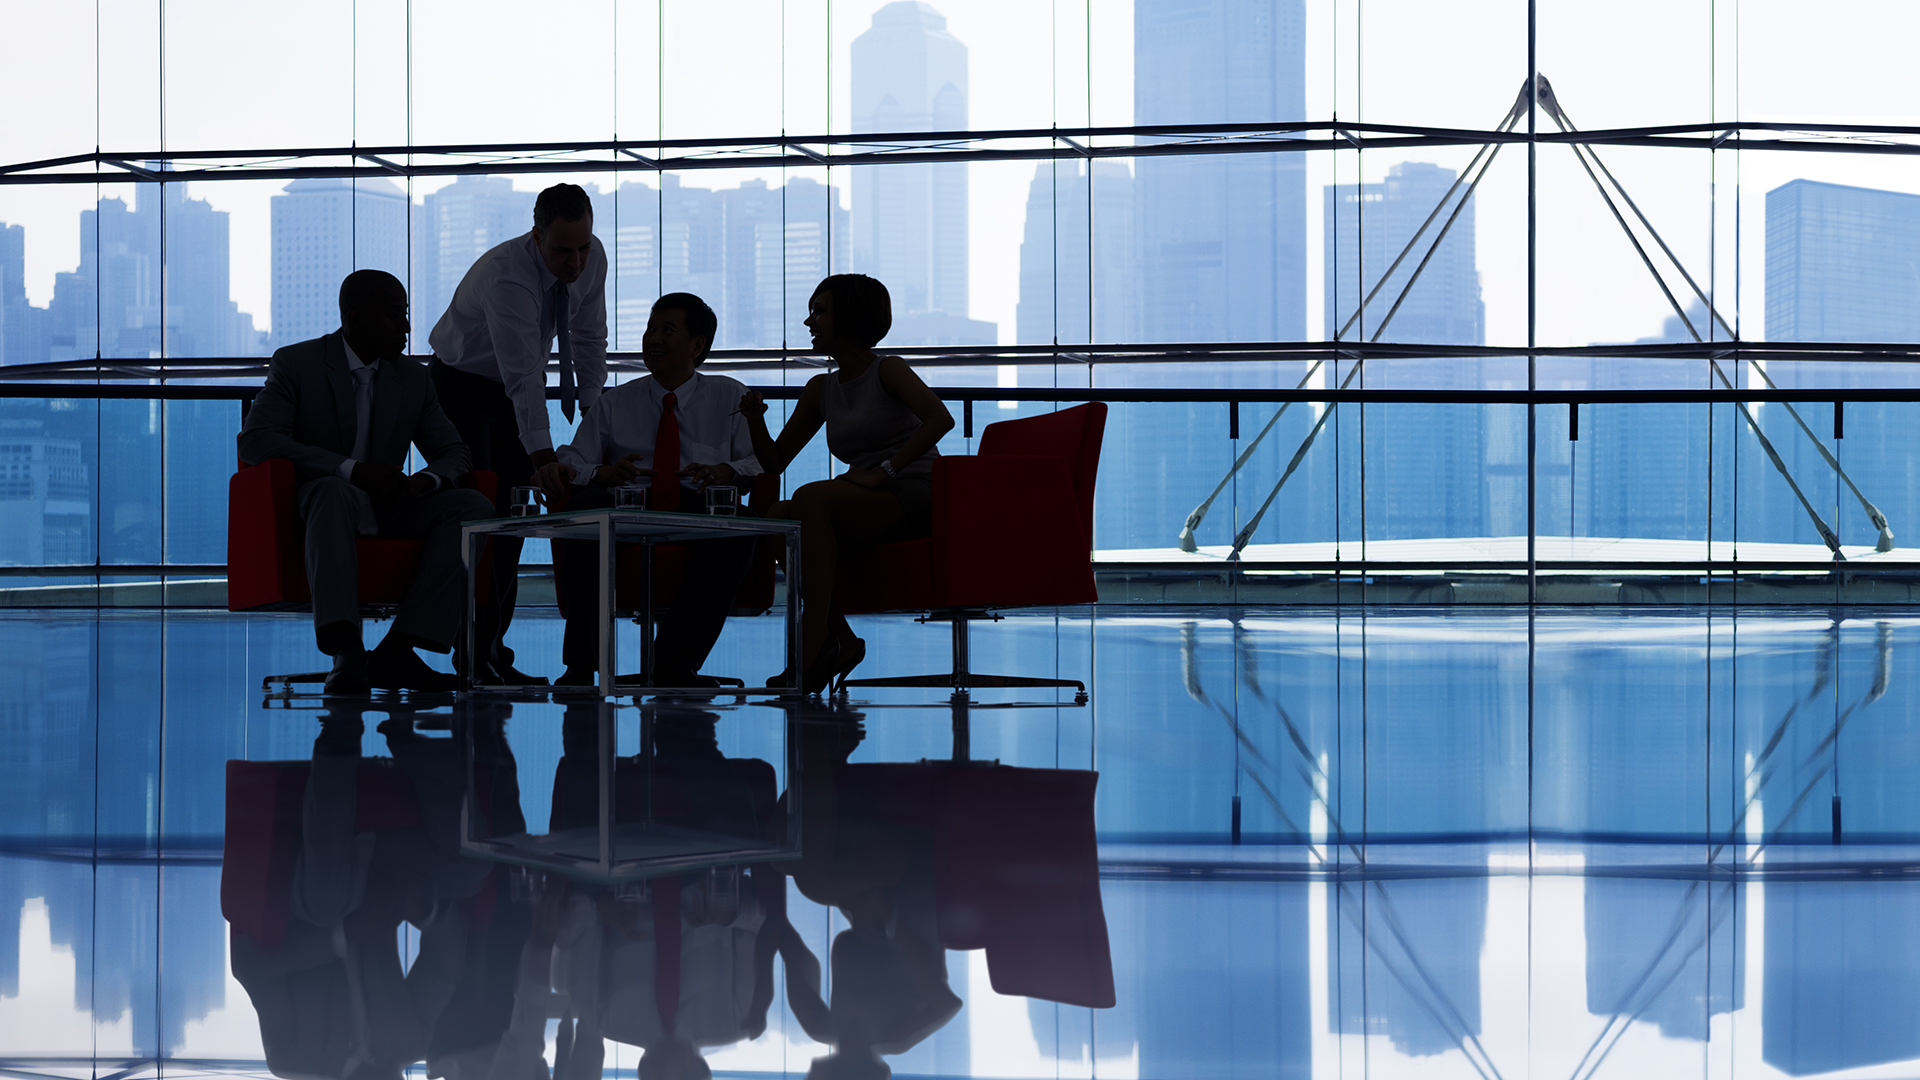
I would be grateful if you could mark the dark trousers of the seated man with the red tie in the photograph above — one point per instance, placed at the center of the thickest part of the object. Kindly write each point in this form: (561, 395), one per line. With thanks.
(690, 629)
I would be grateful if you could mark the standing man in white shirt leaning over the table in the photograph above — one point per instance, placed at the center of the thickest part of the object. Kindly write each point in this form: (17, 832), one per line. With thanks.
(491, 368)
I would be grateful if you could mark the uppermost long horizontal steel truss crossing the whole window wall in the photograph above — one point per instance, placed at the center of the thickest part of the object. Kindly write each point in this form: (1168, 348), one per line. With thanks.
(911, 147)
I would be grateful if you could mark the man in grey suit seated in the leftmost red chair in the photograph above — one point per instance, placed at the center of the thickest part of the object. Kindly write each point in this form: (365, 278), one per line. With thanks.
(343, 410)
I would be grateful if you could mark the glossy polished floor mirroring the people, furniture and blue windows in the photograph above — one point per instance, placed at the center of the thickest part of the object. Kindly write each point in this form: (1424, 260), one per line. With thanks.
(1278, 843)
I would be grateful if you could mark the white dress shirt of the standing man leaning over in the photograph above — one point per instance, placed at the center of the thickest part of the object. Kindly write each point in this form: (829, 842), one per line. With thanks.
(500, 326)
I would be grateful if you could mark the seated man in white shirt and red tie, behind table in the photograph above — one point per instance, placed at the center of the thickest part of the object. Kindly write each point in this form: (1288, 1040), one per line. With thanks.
(677, 433)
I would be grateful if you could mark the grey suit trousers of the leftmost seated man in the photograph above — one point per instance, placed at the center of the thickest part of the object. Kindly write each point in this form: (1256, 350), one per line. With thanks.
(431, 612)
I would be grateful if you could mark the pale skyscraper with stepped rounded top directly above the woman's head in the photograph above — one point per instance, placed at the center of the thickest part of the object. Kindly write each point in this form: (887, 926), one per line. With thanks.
(911, 222)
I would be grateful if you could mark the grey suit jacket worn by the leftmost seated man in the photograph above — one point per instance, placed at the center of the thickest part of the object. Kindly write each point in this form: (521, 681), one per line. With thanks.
(306, 414)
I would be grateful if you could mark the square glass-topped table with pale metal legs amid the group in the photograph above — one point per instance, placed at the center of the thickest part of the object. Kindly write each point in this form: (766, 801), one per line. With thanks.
(648, 529)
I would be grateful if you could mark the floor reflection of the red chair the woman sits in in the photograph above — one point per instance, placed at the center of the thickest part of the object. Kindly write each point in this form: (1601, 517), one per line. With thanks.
(1017, 868)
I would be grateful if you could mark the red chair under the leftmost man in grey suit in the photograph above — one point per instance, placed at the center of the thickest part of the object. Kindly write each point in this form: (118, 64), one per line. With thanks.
(268, 551)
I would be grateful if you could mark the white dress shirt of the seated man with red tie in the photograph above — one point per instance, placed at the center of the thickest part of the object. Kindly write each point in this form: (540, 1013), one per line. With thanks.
(629, 416)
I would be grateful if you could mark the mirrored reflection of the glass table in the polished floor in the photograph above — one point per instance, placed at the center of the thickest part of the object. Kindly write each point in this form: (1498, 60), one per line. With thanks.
(663, 804)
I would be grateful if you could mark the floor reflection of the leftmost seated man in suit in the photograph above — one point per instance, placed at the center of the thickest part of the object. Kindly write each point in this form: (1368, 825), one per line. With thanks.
(331, 996)
